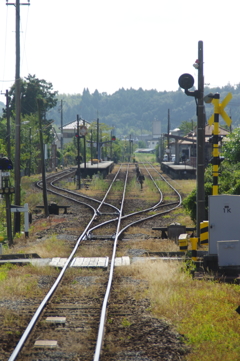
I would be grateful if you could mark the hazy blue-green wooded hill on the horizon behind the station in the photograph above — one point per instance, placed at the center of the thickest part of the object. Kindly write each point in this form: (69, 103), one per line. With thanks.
(132, 111)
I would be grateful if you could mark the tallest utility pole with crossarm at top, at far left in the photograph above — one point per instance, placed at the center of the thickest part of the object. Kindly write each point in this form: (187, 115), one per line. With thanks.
(18, 116)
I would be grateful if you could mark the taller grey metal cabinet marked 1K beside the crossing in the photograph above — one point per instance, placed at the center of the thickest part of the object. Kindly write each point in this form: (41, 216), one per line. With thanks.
(224, 220)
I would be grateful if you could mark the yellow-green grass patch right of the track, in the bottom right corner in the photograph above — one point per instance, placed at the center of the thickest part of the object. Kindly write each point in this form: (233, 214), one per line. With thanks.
(203, 312)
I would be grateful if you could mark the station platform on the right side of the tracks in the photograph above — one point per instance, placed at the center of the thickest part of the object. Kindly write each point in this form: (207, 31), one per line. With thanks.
(178, 171)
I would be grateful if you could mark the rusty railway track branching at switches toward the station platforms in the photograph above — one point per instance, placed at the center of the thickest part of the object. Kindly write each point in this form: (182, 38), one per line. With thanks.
(74, 317)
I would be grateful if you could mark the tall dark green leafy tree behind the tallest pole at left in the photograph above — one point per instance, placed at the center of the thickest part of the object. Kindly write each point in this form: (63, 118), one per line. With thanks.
(32, 89)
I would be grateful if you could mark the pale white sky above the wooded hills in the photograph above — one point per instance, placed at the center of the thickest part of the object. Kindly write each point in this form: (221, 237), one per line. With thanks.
(113, 44)
